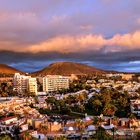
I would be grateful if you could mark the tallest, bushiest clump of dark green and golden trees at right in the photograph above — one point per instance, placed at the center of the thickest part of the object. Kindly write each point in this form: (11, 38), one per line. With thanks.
(110, 102)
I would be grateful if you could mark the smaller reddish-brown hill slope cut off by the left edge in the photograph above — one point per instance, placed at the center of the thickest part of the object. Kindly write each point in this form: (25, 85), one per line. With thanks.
(5, 69)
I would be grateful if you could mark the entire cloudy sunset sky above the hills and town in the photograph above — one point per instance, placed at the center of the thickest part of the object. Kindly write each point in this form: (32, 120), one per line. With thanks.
(100, 33)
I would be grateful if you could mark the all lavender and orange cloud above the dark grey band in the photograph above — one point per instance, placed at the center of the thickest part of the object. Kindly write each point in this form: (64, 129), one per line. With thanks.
(71, 26)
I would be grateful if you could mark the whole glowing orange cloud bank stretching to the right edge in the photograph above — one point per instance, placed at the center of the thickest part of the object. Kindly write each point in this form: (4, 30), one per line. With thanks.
(85, 43)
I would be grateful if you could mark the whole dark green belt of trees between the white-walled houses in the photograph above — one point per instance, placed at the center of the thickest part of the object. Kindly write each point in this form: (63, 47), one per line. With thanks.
(110, 102)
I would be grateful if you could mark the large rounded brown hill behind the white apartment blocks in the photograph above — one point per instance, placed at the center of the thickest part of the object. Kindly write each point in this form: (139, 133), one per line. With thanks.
(68, 68)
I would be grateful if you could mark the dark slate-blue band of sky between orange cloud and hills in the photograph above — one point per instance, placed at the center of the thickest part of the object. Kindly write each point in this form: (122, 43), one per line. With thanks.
(29, 62)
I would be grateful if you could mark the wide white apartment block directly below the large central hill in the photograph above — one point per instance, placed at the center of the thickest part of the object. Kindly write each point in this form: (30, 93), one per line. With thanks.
(55, 82)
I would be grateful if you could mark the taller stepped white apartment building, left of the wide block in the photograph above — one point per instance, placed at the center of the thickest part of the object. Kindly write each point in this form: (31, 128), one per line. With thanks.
(23, 84)
